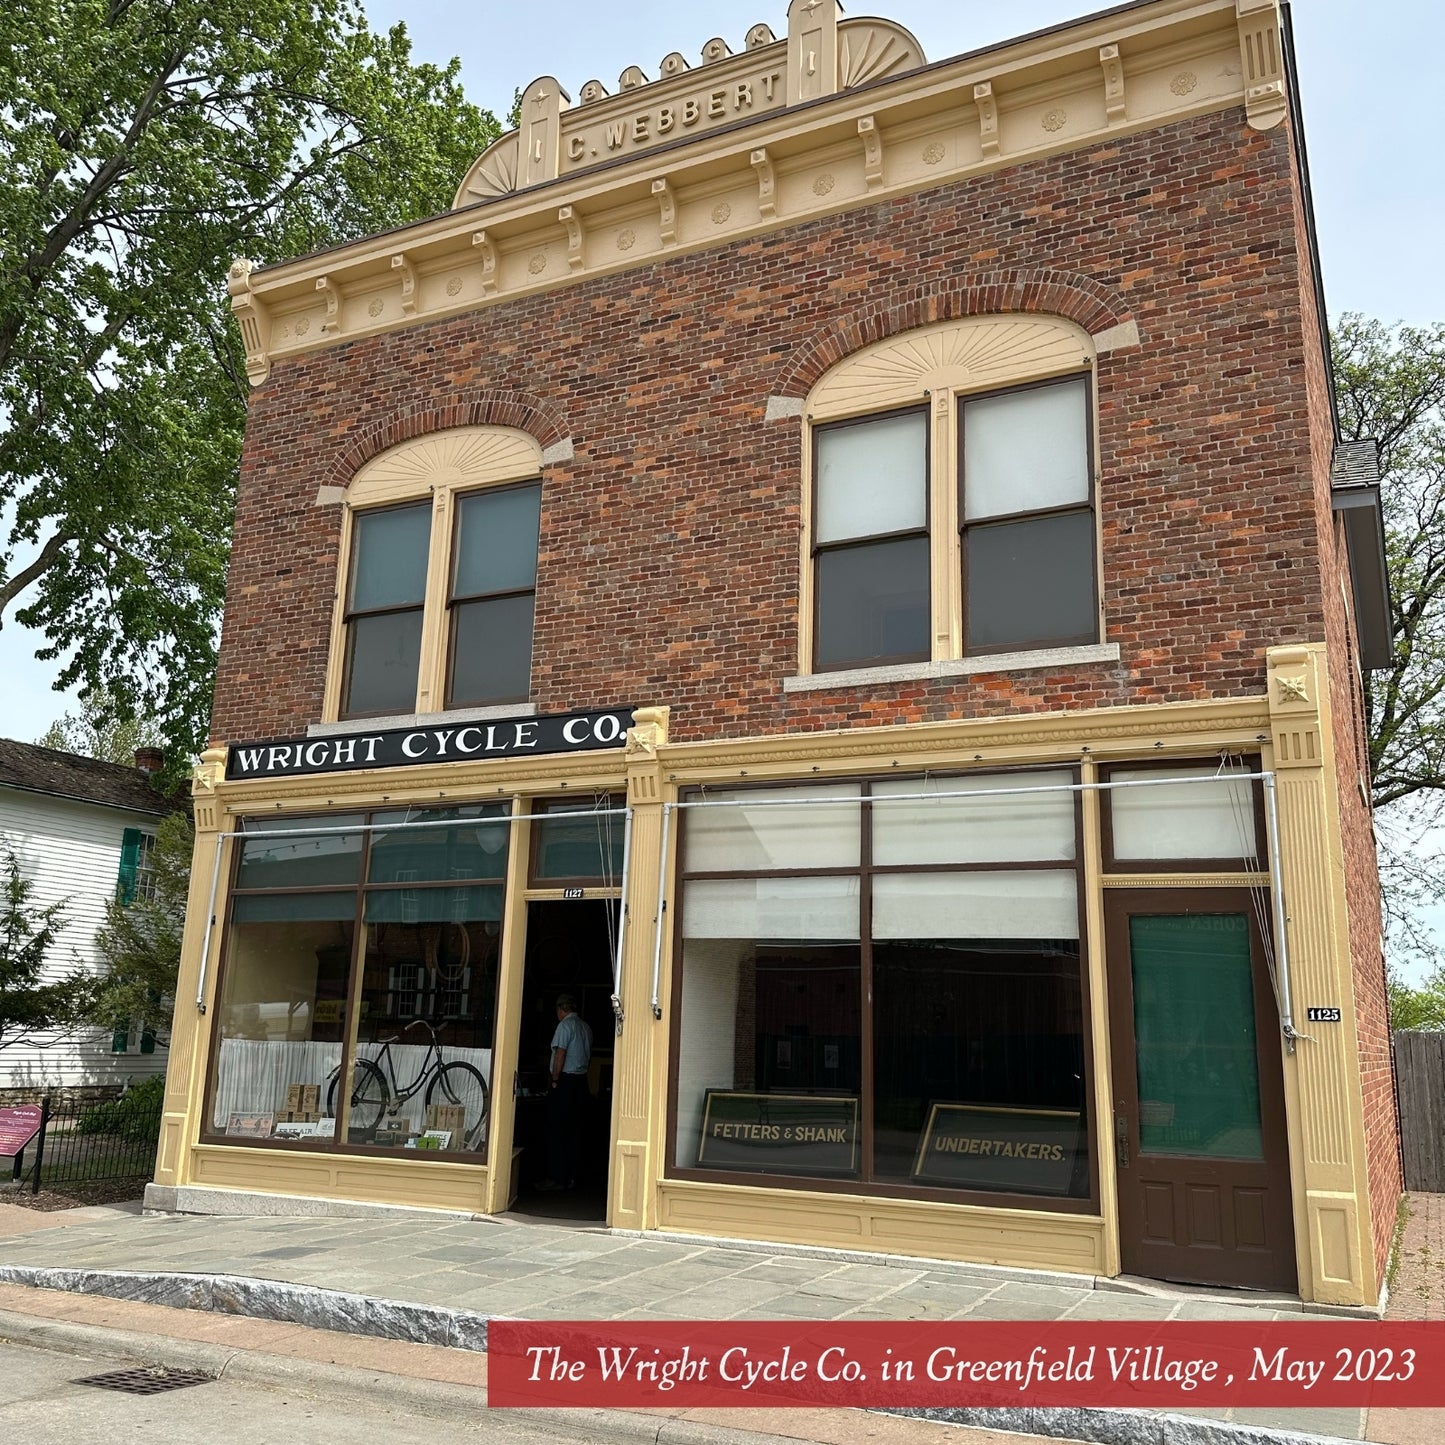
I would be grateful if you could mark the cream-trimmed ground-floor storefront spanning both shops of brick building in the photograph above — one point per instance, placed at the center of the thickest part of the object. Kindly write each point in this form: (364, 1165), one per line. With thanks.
(1009, 992)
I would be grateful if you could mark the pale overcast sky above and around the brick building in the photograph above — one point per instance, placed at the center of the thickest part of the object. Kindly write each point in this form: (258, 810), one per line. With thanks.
(1369, 76)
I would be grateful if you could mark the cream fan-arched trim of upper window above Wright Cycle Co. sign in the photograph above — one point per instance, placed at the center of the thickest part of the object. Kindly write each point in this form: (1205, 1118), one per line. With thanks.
(440, 466)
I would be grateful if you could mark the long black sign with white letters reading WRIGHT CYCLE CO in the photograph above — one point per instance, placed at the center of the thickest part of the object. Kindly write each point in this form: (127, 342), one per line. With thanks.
(441, 743)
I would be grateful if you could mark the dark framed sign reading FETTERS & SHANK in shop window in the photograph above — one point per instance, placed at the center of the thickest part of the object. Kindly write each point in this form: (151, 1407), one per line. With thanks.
(780, 1134)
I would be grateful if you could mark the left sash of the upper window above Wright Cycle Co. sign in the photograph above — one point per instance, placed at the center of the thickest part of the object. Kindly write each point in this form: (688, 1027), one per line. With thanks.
(385, 602)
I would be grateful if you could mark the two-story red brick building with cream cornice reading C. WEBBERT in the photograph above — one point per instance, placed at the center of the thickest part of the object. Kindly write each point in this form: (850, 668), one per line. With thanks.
(845, 566)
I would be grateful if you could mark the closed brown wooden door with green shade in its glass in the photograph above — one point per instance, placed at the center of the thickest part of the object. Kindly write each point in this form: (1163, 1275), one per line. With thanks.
(1202, 1154)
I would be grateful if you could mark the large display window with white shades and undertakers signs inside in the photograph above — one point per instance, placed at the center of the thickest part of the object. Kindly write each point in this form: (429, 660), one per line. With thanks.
(882, 989)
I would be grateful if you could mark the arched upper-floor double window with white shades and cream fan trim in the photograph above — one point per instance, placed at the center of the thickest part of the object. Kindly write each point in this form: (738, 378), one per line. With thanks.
(953, 498)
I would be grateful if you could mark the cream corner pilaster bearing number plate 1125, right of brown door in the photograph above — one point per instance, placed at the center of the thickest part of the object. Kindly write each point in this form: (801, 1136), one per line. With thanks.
(1323, 1076)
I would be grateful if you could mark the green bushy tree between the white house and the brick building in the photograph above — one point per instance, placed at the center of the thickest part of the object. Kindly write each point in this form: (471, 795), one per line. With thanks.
(139, 944)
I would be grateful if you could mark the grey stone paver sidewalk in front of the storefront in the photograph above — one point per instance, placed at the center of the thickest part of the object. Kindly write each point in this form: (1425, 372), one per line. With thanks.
(547, 1271)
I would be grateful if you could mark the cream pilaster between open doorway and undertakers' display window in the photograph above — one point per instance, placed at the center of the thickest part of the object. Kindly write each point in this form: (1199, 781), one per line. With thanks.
(639, 1071)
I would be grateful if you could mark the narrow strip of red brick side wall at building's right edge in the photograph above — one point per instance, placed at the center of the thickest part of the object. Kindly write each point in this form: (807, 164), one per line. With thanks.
(1358, 827)
